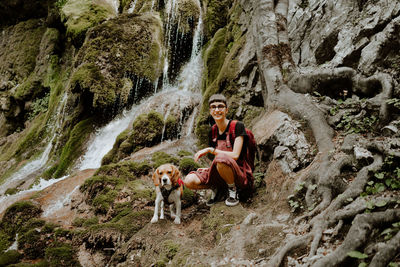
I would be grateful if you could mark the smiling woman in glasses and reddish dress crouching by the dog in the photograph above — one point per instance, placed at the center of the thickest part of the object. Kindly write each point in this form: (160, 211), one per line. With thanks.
(228, 171)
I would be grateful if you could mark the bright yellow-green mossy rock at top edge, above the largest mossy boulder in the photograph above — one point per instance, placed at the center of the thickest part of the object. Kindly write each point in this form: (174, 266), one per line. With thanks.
(80, 15)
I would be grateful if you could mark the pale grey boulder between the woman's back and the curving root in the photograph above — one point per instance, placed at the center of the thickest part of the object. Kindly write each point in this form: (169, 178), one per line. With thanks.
(279, 138)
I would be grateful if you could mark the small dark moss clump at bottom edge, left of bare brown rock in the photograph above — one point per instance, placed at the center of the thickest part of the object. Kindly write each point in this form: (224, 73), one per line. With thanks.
(61, 256)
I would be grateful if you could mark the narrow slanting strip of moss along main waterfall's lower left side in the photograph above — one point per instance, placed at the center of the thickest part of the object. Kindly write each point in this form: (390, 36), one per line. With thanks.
(74, 146)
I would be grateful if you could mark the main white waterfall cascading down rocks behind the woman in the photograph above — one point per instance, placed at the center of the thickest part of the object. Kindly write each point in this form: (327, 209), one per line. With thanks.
(184, 93)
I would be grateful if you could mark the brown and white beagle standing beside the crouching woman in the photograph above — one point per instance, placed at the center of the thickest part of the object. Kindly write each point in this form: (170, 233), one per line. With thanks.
(169, 190)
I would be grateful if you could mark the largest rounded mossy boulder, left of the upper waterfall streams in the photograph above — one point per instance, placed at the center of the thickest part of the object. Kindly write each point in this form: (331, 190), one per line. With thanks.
(129, 47)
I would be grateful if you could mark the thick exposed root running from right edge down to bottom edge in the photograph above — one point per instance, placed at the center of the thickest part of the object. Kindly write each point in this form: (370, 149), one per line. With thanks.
(358, 235)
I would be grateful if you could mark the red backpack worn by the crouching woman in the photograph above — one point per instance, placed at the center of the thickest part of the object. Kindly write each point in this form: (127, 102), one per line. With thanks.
(251, 144)
